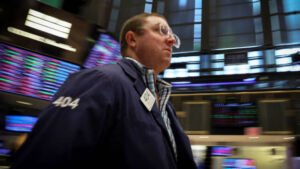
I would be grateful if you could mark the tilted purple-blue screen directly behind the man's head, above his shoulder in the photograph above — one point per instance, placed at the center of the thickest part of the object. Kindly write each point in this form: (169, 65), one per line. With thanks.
(105, 51)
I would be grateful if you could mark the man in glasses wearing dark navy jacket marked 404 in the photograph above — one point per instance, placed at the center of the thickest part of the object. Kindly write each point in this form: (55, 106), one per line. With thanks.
(115, 116)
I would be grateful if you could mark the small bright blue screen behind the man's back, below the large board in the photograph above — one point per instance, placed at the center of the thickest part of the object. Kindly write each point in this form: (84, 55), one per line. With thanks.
(19, 123)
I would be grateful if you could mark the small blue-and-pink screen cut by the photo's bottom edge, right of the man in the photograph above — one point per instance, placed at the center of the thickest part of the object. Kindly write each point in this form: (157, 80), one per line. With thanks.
(238, 163)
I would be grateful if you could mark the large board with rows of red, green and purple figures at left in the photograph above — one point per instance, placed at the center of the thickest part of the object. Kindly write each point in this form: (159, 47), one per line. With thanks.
(31, 74)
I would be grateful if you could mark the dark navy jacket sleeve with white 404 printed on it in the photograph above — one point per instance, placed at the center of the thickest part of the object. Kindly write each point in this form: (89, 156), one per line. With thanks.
(73, 127)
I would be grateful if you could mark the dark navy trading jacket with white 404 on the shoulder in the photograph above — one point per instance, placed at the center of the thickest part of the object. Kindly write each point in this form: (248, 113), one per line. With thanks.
(97, 120)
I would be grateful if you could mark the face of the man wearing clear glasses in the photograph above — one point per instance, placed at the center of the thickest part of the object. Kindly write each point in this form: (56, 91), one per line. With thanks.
(153, 46)
